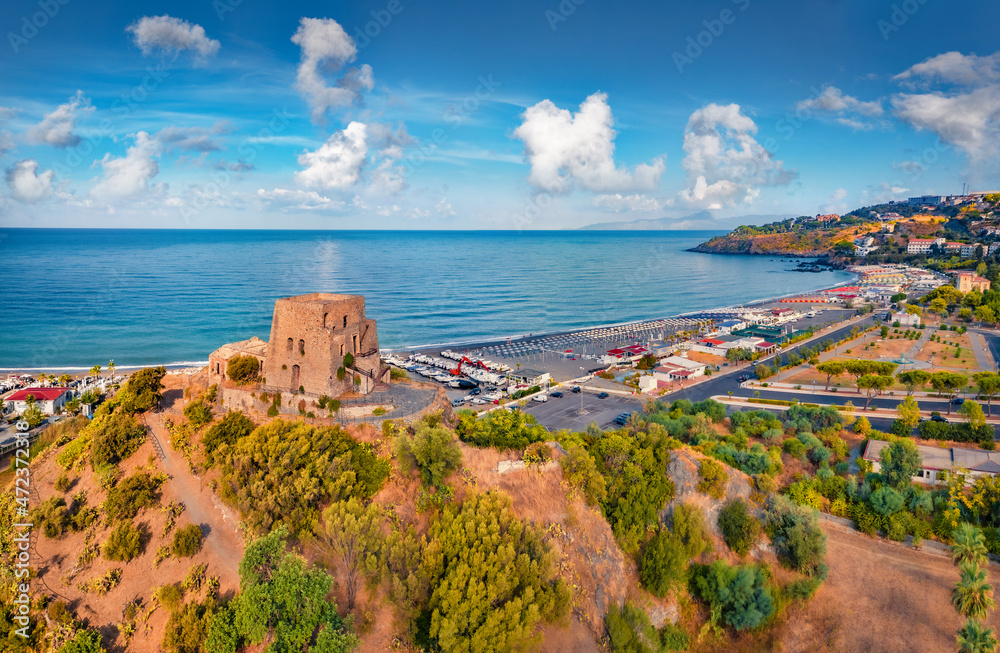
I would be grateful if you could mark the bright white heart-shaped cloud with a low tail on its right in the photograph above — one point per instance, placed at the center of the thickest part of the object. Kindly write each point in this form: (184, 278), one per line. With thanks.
(567, 149)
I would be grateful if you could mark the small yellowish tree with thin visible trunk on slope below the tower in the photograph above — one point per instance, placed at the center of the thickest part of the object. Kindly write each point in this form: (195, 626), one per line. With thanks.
(351, 534)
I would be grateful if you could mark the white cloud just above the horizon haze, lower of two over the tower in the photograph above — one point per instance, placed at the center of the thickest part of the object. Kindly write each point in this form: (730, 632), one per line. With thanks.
(338, 163)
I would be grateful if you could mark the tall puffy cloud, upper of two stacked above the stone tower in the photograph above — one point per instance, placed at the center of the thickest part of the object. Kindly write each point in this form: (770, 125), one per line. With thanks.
(325, 45)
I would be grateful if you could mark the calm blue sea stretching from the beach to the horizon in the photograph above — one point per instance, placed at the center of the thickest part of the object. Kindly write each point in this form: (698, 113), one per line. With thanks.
(73, 298)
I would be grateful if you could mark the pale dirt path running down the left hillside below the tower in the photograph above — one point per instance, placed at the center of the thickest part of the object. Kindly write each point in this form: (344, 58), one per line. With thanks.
(202, 506)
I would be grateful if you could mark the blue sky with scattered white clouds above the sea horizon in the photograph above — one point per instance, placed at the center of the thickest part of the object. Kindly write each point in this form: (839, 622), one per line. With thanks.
(552, 114)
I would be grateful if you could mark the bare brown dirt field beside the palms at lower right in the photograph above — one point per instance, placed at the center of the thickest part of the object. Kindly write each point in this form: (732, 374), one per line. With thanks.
(880, 597)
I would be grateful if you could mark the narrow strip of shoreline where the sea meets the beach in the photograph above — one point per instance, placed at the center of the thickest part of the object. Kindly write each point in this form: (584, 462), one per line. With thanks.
(471, 343)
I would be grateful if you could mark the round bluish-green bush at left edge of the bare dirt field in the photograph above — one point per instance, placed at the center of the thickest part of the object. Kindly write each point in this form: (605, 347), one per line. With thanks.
(739, 595)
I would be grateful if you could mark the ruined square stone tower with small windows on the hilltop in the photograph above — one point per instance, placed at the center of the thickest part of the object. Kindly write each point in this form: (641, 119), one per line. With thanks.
(310, 337)
